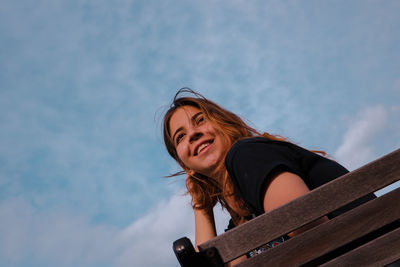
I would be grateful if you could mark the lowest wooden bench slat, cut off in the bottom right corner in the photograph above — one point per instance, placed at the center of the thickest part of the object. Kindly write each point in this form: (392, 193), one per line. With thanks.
(379, 252)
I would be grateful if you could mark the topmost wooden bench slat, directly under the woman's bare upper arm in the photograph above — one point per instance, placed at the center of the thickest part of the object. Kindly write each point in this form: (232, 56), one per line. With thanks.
(307, 208)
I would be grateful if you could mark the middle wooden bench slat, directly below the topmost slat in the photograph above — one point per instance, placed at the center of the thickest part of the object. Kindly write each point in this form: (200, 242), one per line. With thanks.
(332, 234)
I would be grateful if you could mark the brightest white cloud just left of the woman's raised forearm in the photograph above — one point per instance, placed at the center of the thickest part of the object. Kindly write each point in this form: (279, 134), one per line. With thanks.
(150, 238)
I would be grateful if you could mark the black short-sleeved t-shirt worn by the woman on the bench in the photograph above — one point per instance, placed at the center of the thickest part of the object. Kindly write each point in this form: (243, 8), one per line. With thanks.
(252, 162)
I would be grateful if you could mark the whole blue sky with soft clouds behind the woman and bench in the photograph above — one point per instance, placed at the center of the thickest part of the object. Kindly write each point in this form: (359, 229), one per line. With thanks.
(83, 85)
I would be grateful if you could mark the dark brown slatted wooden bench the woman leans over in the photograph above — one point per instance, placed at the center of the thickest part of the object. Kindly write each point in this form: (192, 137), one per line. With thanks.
(314, 247)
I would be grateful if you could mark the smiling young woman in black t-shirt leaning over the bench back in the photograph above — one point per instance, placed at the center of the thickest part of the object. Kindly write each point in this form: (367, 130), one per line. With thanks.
(229, 162)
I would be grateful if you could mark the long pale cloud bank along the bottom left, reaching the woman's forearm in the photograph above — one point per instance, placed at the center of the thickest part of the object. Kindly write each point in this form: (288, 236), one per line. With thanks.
(56, 237)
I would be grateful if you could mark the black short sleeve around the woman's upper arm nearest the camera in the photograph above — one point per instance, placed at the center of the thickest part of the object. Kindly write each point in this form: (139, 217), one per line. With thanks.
(251, 163)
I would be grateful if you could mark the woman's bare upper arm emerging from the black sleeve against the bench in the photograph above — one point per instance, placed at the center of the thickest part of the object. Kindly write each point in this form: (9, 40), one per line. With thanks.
(283, 188)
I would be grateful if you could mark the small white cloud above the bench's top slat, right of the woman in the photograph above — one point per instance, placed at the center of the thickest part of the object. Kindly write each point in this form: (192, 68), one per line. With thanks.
(356, 148)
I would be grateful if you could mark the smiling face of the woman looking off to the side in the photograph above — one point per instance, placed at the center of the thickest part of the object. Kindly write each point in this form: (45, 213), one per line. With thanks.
(199, 145)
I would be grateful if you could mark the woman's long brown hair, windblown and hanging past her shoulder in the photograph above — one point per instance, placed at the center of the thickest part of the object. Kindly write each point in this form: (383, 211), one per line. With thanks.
(206, 191)
